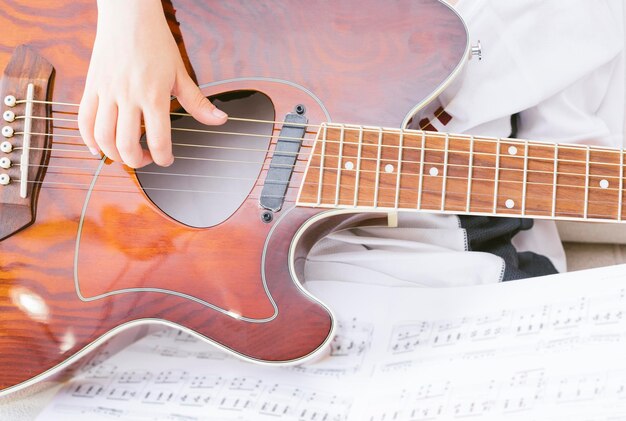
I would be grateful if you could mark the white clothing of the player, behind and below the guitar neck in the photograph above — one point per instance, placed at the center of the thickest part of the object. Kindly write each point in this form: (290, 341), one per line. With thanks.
(560, 66)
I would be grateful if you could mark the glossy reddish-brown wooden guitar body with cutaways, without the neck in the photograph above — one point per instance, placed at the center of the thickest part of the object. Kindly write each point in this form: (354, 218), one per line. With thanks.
(102, 255)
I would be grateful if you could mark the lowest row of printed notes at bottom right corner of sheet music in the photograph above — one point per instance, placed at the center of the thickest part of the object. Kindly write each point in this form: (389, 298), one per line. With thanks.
(513, 395)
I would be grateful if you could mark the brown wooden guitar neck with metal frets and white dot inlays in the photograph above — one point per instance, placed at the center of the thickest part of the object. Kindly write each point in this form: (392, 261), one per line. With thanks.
(367, 168)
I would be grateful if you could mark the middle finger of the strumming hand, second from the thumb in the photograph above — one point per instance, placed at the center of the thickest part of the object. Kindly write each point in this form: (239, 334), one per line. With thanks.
(127, 135)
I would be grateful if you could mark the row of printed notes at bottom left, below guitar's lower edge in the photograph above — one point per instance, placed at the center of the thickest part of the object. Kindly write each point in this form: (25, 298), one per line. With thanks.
(180, 391)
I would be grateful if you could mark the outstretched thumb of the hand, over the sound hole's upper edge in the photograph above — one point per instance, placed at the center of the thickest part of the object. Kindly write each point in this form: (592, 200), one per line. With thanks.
(195, 103)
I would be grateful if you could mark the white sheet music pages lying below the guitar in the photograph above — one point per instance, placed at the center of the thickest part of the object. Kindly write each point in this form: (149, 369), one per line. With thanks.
(545, 348)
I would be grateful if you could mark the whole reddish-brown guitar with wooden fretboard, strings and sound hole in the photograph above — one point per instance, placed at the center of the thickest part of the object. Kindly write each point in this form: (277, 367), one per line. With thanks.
(216, 243)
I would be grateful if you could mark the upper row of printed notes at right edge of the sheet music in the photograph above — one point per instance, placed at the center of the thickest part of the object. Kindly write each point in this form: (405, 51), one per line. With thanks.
(556, 325)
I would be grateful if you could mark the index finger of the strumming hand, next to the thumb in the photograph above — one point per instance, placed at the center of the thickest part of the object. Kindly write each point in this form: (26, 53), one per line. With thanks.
(156, 119)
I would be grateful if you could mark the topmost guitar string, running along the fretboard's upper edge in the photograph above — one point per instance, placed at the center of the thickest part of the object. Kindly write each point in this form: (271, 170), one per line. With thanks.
(375, 130)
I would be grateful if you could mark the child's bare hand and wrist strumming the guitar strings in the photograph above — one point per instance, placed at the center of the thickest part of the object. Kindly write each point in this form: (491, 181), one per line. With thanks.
(135, 67)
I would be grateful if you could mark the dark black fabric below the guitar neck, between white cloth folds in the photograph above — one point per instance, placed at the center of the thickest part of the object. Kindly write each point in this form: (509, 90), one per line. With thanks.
(493, 235)
